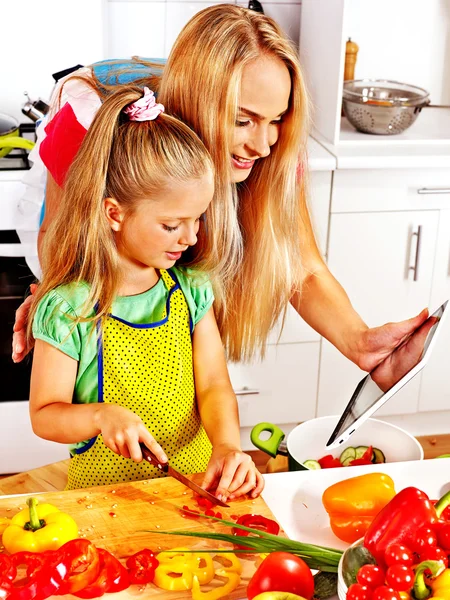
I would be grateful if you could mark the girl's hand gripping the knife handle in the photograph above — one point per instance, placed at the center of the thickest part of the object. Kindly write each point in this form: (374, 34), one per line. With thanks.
(122, 430)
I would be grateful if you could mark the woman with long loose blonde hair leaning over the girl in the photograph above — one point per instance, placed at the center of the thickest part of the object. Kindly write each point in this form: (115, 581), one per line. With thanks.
(235, 79)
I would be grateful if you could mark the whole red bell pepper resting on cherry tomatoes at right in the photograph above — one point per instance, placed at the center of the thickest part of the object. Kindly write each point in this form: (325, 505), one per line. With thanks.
(398, 522)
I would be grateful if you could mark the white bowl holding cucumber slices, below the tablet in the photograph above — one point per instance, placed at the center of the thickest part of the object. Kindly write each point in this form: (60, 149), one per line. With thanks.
(308, 440)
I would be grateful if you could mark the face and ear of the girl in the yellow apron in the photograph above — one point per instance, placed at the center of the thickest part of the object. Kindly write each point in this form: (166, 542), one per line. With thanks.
(160, 229)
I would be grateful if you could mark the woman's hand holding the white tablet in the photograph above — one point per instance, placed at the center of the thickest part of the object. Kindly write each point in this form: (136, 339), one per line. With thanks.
(374, 345)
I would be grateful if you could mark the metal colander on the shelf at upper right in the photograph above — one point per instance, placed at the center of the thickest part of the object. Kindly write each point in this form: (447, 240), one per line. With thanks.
(382, 107)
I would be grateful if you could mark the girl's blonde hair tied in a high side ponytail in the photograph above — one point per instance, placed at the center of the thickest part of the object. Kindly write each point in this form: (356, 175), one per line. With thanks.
(129, 161)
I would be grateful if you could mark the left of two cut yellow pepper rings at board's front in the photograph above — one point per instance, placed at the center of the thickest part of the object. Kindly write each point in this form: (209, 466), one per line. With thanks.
(177, 568)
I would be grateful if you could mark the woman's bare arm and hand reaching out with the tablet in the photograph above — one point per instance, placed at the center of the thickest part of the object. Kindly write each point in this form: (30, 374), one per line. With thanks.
(325, 306)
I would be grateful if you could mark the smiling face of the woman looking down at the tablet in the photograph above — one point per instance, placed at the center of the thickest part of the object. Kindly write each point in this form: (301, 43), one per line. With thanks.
(265, 92)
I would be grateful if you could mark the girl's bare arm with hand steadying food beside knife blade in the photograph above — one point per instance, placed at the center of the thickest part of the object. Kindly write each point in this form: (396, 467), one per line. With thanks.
(230, 471)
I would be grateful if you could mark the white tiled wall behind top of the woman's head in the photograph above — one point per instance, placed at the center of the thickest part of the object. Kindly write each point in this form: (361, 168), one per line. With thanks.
(149, 27)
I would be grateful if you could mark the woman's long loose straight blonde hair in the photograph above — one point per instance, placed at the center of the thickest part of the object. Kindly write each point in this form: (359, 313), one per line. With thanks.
(258, 224)
